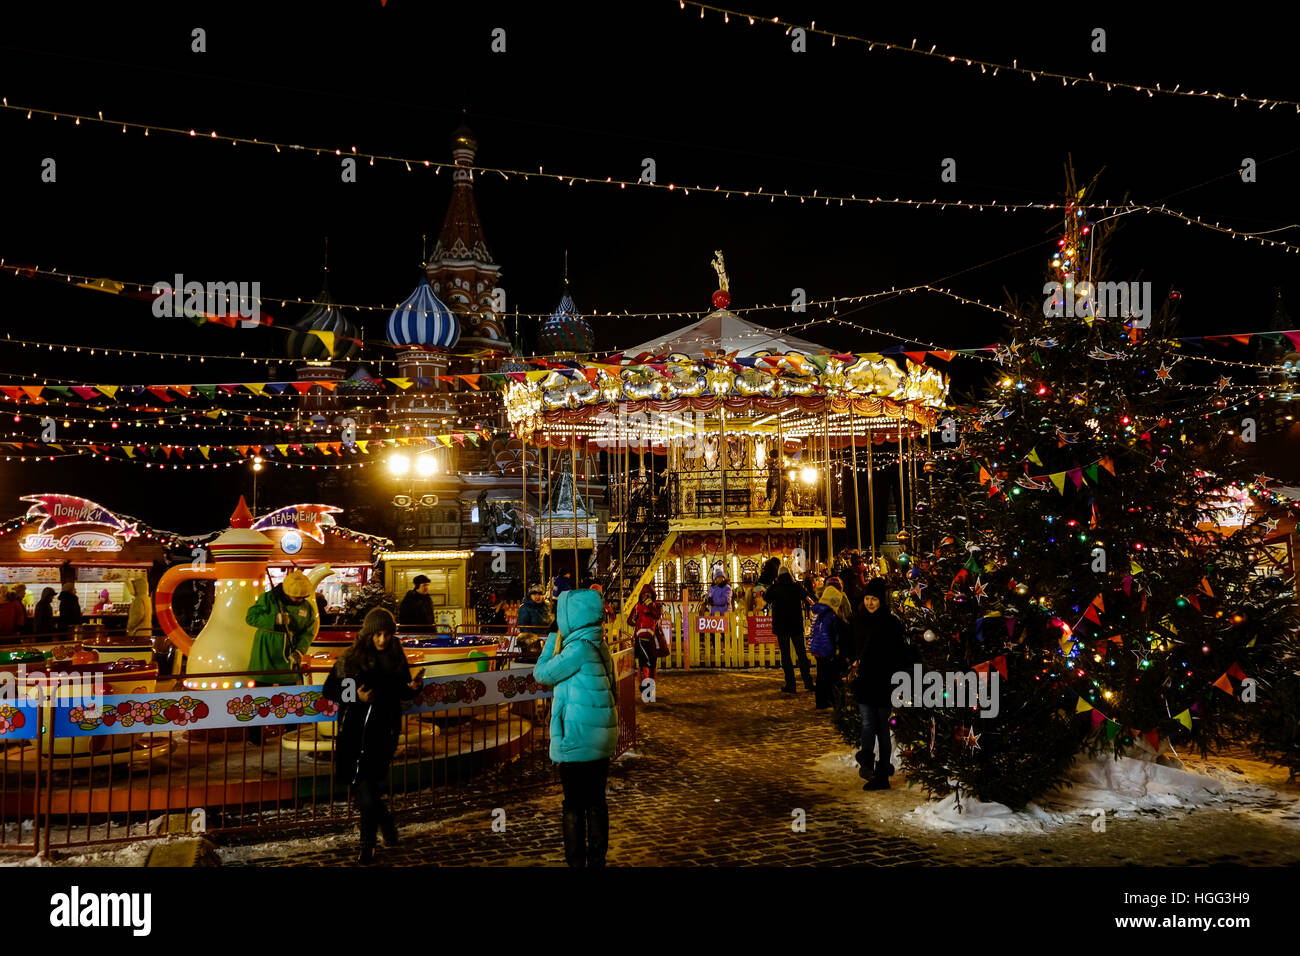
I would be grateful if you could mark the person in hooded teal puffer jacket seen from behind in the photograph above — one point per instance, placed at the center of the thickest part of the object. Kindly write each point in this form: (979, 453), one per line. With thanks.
(584, 723)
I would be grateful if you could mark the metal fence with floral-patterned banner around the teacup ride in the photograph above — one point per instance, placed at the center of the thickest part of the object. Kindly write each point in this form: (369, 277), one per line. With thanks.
(240, 760)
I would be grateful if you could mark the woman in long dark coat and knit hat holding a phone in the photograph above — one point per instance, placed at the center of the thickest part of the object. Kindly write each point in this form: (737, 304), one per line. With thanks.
(370, 681)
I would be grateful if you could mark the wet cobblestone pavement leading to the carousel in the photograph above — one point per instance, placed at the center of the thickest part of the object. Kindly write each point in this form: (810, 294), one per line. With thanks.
(723, 764)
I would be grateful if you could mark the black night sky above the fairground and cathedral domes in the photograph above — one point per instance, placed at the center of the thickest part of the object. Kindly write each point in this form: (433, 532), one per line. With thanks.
(593, 92)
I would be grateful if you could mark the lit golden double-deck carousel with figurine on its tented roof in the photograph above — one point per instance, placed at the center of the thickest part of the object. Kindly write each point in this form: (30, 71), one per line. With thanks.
(726, 444)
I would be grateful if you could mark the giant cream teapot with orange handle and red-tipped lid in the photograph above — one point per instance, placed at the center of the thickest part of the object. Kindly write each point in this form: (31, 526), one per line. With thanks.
(239, 568)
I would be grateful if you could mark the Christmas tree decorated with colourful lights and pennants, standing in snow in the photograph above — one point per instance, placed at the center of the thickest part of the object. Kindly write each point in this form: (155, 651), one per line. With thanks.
(1080, 551)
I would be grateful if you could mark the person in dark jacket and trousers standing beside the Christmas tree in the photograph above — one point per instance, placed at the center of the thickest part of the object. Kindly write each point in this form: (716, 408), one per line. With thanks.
(882, 651)
